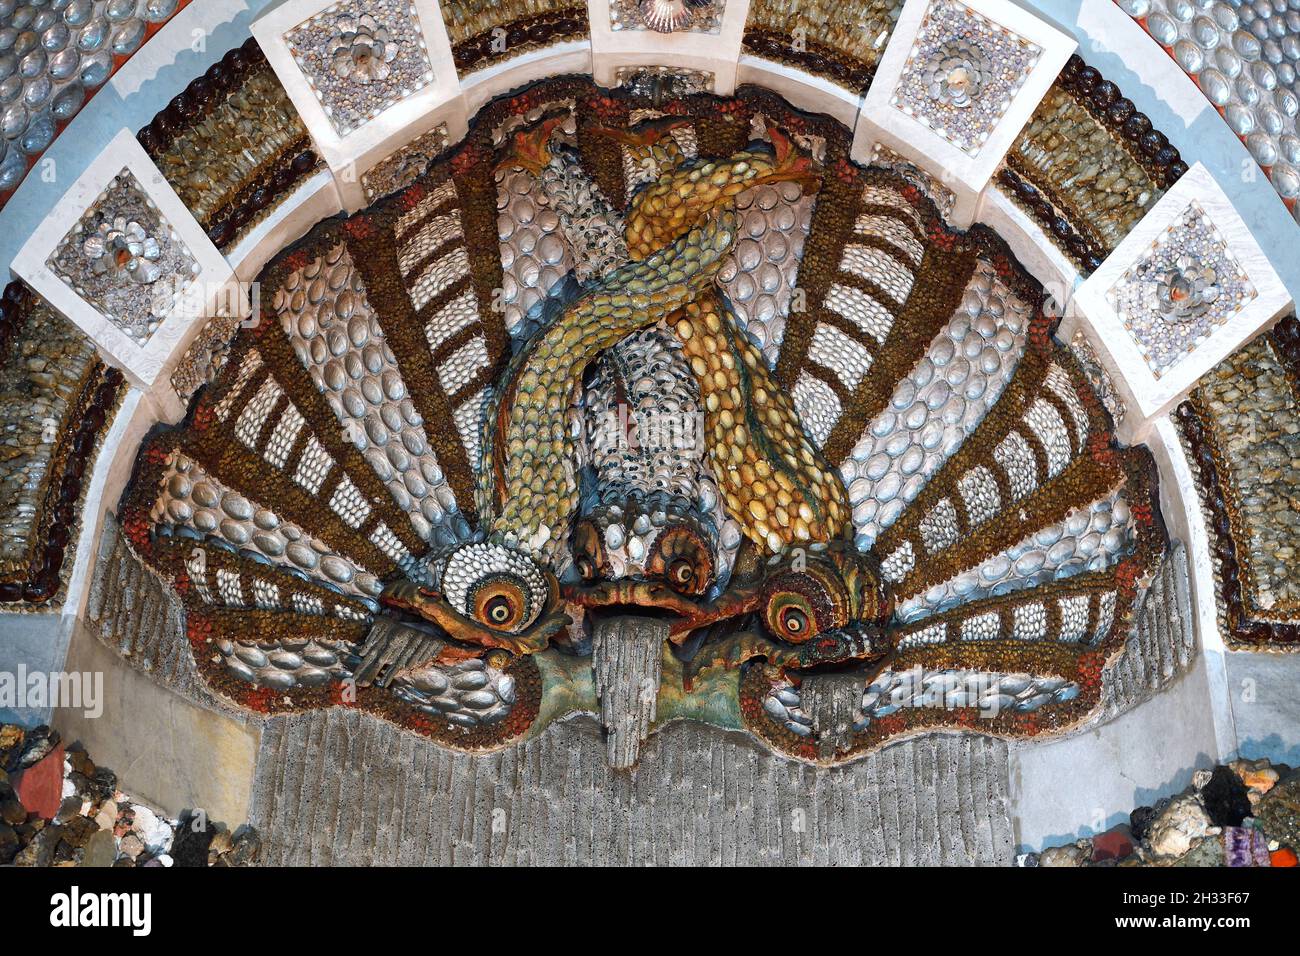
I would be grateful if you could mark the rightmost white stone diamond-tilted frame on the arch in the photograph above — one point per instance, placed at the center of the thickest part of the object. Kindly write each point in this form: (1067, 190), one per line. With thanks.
(1146, 395)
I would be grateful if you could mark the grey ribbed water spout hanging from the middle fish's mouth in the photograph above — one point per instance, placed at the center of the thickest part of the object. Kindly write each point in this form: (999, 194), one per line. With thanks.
(627, 657)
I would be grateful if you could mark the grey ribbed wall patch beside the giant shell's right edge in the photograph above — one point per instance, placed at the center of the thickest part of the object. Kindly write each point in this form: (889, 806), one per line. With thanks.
(1163, 643)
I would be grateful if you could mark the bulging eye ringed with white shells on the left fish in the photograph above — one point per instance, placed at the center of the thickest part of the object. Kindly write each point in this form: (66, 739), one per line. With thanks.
(495, 586)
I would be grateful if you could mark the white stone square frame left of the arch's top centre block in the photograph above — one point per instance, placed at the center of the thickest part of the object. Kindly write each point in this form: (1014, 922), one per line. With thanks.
(384, 135)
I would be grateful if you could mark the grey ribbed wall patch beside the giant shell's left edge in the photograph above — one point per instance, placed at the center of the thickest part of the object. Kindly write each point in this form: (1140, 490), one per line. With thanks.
(140, 617)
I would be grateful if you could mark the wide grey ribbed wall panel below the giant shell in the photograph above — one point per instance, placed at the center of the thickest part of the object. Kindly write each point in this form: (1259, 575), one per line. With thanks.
(343, 788)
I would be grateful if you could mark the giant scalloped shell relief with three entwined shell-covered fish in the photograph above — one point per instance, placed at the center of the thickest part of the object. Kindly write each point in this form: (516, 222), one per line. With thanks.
(655, 410)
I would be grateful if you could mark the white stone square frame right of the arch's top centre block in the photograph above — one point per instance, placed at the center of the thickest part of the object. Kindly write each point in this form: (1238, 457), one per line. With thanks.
(881, 123)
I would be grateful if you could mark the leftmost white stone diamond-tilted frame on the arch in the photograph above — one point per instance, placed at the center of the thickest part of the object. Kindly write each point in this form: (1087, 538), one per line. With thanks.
(150, 365)
